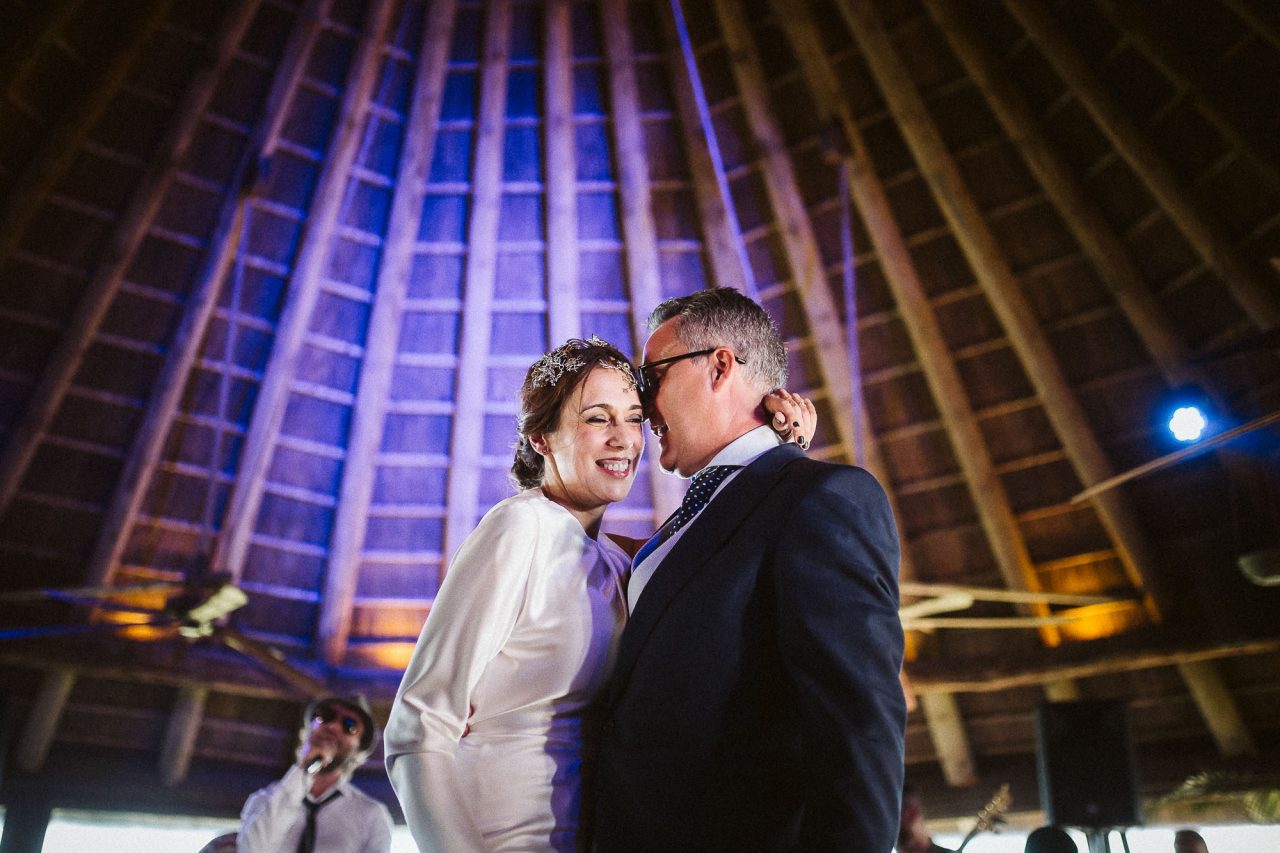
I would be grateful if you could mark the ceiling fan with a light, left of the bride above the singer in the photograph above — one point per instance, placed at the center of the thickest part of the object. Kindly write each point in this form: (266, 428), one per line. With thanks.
(190, 610)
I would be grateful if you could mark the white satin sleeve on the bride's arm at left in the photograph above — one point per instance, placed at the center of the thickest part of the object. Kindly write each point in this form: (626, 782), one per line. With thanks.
(470, 622)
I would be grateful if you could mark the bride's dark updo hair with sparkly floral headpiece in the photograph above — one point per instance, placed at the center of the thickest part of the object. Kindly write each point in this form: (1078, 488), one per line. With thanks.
(547, 386)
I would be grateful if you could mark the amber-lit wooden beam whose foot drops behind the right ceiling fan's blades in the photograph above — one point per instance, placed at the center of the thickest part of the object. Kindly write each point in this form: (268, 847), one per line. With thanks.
(988, 491)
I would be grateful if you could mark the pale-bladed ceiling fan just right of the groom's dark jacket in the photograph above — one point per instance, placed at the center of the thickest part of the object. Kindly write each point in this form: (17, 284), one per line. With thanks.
(935, 600)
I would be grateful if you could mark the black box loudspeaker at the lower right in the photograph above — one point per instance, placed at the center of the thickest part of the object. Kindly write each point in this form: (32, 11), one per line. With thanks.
(1086, 765)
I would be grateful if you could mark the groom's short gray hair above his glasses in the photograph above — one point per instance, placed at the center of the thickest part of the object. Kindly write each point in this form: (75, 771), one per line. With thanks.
(723, 317)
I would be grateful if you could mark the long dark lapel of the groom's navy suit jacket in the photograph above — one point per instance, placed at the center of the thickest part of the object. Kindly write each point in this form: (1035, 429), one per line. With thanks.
(701, 541)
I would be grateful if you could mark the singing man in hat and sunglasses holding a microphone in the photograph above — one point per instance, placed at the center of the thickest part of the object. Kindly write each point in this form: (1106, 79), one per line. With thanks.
(316, 809)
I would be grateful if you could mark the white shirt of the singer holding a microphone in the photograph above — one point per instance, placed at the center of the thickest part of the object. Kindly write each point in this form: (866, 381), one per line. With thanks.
(273, 819)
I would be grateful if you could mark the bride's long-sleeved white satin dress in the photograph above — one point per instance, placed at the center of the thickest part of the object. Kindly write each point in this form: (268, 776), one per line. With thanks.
(486, 737)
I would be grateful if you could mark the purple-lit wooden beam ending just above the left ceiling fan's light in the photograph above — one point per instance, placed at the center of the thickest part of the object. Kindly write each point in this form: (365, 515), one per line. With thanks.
(304, 288)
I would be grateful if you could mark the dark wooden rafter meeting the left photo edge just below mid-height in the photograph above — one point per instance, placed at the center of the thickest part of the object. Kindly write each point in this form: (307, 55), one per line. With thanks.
(131, 230)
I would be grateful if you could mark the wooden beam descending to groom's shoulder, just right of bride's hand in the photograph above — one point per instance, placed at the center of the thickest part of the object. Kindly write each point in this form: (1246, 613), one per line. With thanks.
(796, 231)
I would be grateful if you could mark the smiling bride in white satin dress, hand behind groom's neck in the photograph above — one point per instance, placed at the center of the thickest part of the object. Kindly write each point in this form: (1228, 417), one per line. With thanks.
(490, 732)
